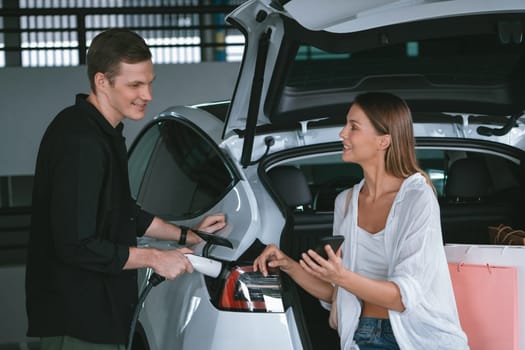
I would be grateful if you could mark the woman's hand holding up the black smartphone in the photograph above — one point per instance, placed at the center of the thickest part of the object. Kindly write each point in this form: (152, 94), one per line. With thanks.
(329, 270)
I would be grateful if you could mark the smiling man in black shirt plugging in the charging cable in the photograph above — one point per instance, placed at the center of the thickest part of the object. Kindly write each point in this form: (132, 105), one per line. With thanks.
(81, 280)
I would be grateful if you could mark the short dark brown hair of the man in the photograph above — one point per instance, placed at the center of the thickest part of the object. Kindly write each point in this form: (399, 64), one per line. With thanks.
(111, 47)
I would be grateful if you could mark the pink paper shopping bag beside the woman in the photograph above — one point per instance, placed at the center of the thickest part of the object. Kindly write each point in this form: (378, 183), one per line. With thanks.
(487, 301)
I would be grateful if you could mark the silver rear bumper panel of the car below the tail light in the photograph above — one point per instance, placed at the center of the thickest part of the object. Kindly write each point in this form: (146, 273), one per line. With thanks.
(190, 321)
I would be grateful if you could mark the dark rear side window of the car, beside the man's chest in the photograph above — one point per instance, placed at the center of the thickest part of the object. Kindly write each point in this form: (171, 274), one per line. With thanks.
(176, 172)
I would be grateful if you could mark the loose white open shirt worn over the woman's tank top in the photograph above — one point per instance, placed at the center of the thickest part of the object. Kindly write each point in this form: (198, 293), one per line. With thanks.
(417, 264)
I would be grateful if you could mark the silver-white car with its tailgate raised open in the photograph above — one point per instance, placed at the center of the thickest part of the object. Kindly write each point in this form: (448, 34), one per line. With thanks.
(270, 157)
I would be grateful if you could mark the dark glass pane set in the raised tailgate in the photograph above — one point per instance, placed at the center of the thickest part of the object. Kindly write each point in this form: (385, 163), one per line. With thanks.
(315, 68)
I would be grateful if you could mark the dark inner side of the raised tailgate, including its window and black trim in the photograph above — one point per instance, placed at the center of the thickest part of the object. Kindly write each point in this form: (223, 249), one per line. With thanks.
(468, 65)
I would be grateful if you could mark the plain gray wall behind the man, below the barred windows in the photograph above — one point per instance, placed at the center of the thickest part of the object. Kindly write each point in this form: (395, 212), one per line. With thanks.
(31, 97)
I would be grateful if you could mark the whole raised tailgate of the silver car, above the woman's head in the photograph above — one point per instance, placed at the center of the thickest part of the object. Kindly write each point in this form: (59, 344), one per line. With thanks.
(307, 59)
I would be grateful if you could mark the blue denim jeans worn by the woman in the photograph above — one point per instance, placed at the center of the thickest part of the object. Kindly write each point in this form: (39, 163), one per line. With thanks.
(375, 333)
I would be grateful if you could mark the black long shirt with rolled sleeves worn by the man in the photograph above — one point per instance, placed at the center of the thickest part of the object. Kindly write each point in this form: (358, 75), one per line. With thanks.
(83, 222)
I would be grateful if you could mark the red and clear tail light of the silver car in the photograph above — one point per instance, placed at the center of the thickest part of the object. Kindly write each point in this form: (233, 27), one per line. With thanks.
(246, 290)
